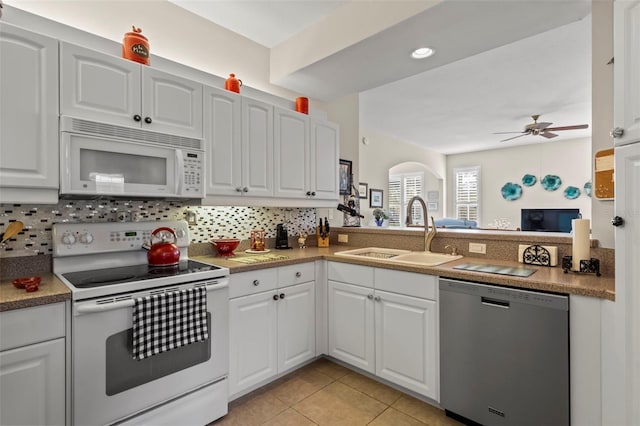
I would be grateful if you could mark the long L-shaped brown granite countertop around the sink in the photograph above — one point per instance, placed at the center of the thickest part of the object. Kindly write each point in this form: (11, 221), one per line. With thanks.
(551, 279)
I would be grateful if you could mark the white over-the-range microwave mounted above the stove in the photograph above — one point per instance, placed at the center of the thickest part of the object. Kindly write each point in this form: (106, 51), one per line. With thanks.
(98, 159)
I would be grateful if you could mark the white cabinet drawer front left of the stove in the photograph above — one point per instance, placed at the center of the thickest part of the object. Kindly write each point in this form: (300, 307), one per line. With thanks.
(26, 326)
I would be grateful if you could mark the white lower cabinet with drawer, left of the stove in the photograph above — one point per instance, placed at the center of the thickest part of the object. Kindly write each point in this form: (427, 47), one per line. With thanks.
(32, 366)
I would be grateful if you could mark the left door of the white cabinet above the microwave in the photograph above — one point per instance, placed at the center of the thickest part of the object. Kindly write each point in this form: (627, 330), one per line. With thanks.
(99, 87)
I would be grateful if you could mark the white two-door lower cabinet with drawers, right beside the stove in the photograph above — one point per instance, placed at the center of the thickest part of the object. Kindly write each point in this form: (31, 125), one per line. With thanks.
(272, 324)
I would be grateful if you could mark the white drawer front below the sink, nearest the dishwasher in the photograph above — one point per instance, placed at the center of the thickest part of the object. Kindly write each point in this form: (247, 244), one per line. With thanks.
(409, 283)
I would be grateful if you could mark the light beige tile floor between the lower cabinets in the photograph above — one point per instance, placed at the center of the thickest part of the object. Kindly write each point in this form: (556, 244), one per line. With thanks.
(325, 393)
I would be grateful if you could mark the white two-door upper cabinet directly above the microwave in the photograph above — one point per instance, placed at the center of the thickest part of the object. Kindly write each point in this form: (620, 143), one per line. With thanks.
(109, 89)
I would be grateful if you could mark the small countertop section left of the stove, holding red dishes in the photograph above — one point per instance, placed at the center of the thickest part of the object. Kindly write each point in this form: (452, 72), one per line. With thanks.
(50, 290)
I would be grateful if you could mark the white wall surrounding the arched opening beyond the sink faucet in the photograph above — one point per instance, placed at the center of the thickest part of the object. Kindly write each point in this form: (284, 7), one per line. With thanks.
(383, 152)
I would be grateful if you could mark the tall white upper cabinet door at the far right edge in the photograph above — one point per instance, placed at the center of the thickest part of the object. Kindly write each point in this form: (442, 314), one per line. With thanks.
(627, 71)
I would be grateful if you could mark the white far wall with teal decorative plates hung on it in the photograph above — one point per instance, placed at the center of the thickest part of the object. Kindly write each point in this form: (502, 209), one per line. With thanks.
(571, 160)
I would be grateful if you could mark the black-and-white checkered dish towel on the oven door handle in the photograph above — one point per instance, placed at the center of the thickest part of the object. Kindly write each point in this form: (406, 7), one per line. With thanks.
(168, 321)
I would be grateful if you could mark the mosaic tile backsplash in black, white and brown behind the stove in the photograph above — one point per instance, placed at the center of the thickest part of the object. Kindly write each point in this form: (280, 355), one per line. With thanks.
(211, 222)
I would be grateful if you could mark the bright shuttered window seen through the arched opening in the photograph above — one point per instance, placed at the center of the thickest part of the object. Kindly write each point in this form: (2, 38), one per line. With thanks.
(401, 189)
